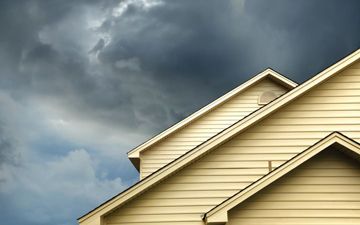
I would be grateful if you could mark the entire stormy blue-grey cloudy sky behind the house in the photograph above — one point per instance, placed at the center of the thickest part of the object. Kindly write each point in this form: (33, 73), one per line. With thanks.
(83, 82)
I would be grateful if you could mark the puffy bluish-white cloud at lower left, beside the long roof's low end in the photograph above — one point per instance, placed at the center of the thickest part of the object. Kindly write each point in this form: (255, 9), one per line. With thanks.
(44, 188)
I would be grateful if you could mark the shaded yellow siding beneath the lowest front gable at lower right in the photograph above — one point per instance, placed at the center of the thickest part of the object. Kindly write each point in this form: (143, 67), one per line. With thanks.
(324, 190)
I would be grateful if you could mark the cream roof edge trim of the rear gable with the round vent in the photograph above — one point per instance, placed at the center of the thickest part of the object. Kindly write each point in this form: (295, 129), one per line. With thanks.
(134, 154)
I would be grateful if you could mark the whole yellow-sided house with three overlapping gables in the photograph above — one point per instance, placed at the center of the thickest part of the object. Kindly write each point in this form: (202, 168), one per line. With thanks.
(268, 152)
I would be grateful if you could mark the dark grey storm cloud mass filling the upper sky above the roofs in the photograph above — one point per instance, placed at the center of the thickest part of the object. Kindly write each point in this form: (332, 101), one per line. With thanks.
(157, 58)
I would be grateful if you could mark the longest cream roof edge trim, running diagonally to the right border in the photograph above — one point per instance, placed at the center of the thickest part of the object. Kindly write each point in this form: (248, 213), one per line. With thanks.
(218, 139)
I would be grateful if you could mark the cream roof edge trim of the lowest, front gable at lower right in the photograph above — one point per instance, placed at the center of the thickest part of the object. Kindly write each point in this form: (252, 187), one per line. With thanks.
(219, 214)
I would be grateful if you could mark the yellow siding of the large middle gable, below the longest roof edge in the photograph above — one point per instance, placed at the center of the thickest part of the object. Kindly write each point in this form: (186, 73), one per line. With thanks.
(239, 162)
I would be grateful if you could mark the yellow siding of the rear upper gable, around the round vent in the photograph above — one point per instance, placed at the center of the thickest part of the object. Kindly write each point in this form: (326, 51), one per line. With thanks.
(205, 127)
